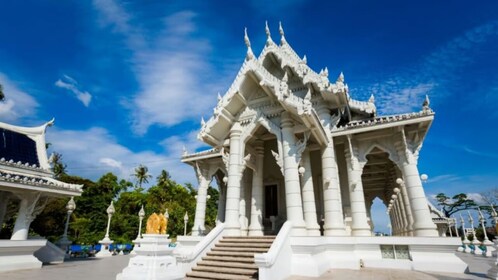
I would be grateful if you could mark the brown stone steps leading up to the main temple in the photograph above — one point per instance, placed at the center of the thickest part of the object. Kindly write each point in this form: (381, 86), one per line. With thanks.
(232, 258)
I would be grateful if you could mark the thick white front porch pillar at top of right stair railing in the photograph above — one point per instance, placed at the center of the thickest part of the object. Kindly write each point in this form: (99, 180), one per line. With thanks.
(291, 176)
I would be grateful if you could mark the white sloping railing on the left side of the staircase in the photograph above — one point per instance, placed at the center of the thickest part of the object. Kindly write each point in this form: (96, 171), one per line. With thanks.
(186, 260)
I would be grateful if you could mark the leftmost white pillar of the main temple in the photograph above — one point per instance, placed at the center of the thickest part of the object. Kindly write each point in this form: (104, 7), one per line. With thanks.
(200, 209)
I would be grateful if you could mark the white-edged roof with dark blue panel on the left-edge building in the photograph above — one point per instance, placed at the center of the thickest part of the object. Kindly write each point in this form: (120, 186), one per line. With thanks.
(24, 164)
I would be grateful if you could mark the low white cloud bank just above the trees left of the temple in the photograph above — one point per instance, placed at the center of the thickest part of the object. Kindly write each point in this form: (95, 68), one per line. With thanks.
(93, 152)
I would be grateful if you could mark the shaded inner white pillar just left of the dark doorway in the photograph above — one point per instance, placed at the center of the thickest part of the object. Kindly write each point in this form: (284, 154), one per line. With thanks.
(256, 226)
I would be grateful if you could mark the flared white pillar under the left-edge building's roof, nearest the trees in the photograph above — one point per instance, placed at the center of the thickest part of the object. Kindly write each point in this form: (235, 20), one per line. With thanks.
(25, 216)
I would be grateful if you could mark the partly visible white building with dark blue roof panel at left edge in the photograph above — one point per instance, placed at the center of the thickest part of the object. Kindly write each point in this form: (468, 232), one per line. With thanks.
(26, 178)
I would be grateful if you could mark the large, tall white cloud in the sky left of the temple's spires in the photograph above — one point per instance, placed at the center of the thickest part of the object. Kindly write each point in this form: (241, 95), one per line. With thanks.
(169, 68)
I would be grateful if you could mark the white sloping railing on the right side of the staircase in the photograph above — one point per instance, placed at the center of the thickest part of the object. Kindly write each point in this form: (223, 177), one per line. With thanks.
(276, 263)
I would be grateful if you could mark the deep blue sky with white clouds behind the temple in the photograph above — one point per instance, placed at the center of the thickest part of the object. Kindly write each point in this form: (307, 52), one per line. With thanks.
(128, 82)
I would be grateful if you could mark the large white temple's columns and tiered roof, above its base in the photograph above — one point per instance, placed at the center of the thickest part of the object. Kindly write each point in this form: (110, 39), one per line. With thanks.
(289, 144)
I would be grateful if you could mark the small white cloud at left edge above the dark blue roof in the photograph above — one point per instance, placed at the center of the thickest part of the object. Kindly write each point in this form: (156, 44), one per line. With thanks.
(18, 104)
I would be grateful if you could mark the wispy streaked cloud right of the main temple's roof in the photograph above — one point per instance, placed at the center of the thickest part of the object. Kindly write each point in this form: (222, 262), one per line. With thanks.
(436, 75)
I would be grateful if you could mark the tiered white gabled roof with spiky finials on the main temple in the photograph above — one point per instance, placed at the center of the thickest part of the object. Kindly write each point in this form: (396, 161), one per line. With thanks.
(280, 80)
